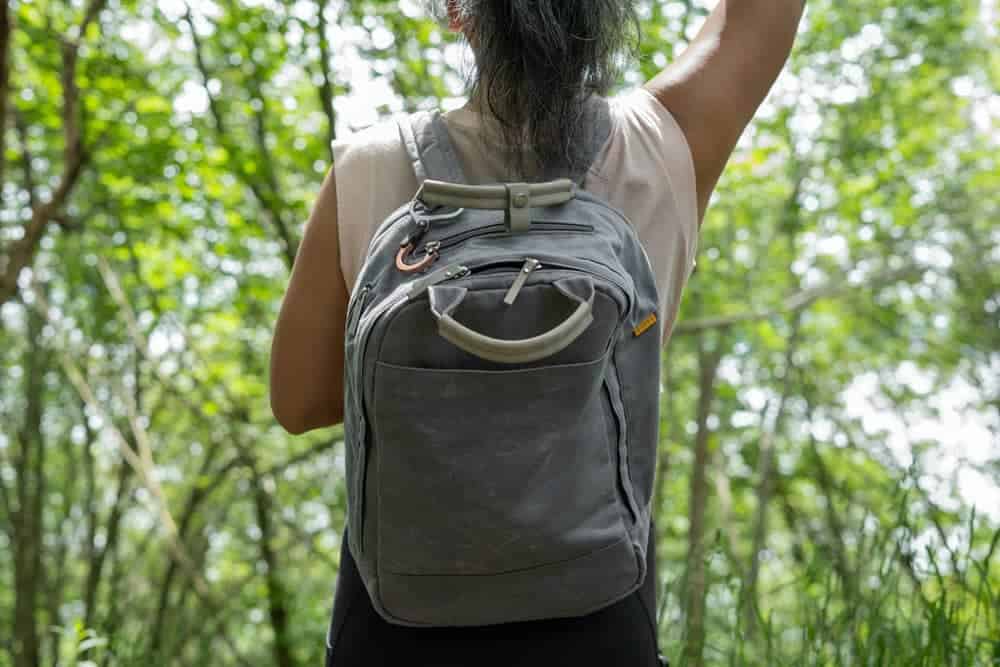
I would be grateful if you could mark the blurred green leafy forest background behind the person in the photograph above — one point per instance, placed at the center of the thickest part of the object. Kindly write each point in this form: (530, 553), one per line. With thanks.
(829, 479)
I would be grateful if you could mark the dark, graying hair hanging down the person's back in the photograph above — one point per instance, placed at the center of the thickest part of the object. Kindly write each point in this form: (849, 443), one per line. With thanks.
(537, 63)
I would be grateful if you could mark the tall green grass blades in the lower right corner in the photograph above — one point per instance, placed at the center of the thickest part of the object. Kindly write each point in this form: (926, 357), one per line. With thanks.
(936, 607)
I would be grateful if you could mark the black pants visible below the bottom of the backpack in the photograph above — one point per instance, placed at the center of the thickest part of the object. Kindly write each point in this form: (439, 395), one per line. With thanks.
(621, 635)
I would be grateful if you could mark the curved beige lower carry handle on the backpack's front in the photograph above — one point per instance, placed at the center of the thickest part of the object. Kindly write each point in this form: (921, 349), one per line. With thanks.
(444, 299)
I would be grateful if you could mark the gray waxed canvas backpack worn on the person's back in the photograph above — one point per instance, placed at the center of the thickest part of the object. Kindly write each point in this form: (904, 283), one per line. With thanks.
(501, 398)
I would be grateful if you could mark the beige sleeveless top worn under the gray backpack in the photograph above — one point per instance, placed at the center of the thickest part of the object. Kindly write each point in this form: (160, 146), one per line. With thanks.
(644, 169)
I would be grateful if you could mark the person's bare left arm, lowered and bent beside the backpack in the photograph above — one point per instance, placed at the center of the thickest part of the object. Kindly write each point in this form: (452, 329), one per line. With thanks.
(307, 353)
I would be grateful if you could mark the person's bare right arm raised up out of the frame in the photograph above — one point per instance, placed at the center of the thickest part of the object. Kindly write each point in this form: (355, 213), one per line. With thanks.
(715, 87)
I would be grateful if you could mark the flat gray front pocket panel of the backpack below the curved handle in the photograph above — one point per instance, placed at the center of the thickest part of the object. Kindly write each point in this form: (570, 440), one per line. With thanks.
(492, 471)
